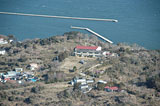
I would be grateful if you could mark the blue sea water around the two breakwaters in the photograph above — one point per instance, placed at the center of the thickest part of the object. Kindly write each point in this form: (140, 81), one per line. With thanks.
(139, 20)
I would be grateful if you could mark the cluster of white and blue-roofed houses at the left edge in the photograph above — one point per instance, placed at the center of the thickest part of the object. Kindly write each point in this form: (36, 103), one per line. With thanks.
(19, 75)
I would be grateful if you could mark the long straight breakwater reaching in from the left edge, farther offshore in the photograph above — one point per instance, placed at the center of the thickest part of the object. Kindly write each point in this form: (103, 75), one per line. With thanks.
(63, 17)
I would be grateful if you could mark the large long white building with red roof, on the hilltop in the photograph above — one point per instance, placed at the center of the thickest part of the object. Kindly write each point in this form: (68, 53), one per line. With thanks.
(87, 51)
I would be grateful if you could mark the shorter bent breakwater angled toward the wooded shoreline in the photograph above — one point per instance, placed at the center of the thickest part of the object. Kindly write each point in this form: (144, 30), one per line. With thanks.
(91, 31)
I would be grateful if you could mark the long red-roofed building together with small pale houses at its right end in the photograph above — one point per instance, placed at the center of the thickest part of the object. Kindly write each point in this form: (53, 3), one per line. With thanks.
(92, 51)
